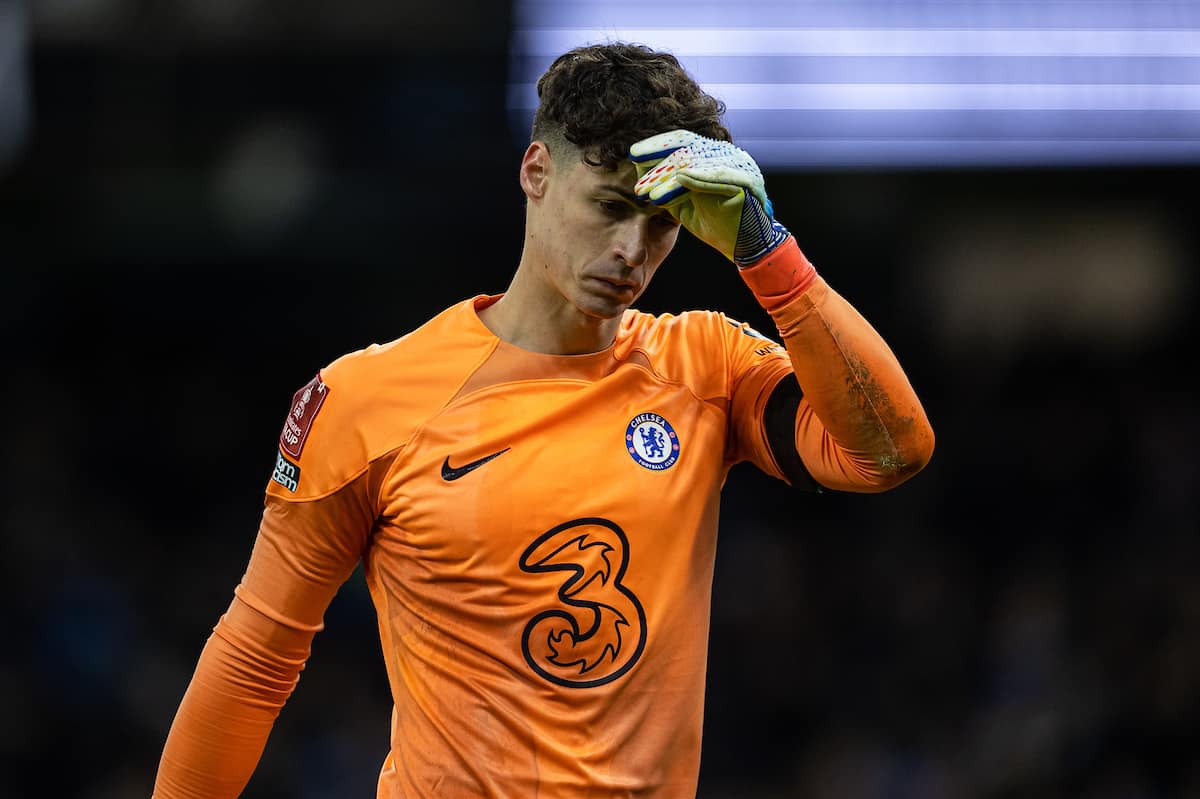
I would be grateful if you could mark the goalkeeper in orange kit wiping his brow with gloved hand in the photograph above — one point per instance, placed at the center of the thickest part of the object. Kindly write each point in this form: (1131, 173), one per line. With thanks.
(531, 480)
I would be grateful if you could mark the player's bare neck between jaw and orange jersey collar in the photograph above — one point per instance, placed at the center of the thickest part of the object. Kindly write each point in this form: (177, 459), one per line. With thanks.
(536, 317)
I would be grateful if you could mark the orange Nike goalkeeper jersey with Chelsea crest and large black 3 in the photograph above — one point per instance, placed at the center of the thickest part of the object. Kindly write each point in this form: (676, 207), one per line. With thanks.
(538, 533)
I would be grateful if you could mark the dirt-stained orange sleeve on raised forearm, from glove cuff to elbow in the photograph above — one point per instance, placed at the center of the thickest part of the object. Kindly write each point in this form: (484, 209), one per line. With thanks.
(860, 425)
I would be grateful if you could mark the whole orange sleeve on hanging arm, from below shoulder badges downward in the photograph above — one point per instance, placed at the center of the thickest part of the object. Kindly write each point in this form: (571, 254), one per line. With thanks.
(253, 662)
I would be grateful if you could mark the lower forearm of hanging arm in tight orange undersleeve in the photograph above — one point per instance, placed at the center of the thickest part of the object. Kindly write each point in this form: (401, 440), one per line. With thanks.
(247, 672)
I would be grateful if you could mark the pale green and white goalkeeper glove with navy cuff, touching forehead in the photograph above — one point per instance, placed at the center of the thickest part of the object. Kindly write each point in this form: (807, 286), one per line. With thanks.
(713, 188)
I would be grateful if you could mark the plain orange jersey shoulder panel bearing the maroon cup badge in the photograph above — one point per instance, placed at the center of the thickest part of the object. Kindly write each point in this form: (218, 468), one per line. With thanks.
(369, 402)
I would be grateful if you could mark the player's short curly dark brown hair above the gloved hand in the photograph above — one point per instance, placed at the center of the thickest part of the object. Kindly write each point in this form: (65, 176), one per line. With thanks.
(601, 99)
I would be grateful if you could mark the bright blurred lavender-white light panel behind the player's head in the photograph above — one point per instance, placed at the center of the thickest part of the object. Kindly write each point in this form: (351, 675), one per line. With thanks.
(879, 83)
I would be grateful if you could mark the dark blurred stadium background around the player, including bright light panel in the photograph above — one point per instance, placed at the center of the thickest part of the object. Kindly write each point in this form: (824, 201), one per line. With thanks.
(202, 202)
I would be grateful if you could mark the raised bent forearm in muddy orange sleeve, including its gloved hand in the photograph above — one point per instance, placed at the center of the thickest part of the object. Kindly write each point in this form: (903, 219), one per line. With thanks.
(860, 425)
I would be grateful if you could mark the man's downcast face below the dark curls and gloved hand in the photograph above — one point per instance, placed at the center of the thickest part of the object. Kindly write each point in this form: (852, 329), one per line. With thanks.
(601, 247)
